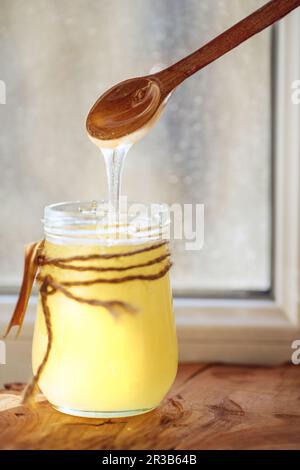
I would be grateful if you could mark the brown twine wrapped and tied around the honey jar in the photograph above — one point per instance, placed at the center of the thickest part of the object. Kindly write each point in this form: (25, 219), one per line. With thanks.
(35, 259)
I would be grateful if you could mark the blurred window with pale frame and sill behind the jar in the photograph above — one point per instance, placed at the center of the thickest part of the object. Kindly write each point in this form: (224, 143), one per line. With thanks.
(228, 139)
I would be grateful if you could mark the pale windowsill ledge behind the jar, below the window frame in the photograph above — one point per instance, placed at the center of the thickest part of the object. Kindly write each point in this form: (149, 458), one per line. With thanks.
(231, 331)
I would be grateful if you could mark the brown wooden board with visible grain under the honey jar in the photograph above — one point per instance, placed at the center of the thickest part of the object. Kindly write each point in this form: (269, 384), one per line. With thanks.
(209, 407)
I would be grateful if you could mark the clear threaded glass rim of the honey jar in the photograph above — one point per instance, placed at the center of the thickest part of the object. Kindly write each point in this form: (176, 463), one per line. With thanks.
(95, 221)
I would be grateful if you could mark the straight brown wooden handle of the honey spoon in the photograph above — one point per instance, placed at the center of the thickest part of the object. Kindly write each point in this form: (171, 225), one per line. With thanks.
(262, 18)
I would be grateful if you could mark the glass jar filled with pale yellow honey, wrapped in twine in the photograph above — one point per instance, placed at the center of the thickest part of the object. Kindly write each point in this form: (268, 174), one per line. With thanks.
(105, 341)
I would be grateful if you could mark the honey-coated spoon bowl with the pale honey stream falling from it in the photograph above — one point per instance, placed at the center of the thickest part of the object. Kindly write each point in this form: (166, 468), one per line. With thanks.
(121, 117)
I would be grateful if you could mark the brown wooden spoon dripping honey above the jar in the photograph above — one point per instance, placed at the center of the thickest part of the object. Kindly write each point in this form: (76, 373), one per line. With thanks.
(126, 112)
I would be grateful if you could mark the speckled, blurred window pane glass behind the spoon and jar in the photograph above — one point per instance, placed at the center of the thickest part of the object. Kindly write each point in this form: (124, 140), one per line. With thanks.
(212, 146)
